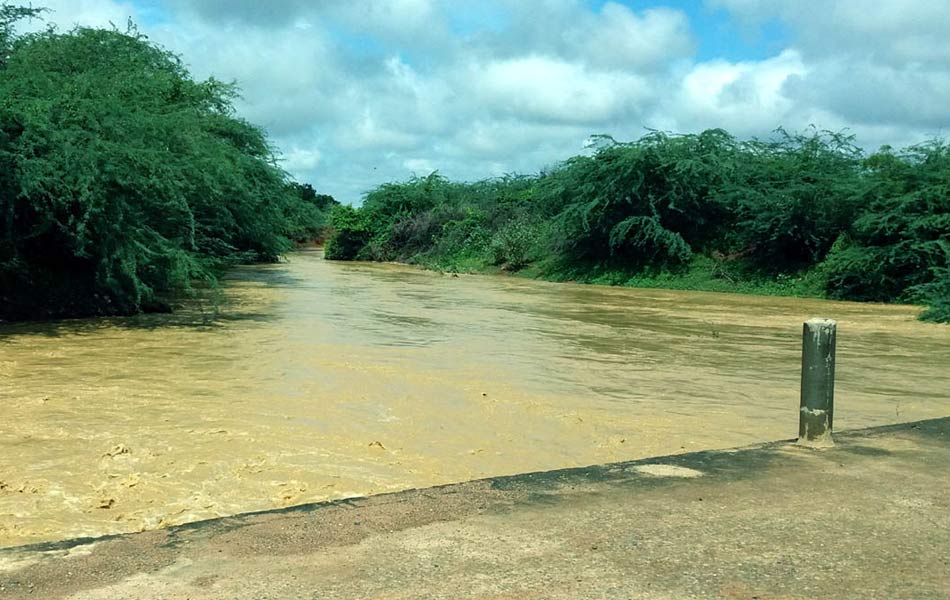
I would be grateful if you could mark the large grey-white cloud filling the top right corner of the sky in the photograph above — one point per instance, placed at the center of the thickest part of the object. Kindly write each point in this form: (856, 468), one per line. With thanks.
(881, 69)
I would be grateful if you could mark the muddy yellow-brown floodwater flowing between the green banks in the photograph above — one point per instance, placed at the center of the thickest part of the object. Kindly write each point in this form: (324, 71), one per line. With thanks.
(321, 380)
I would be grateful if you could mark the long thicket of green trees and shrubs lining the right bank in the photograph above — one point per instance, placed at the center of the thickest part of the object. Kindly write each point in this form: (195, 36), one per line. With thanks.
(801, 214)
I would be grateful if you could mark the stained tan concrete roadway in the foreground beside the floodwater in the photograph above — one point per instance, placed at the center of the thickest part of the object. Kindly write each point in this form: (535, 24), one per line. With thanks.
(869, 518)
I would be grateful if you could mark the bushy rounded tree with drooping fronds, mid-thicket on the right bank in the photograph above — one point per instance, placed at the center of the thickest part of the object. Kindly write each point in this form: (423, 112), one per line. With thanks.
(644, 203)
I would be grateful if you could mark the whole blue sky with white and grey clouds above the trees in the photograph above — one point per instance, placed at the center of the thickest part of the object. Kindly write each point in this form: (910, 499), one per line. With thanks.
(358, 92)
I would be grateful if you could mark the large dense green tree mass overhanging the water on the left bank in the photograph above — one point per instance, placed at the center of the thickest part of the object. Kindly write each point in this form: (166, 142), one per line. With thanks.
(122, 180)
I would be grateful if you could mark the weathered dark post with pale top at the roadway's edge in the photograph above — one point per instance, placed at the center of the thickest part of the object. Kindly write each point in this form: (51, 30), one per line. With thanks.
(818, 382)
